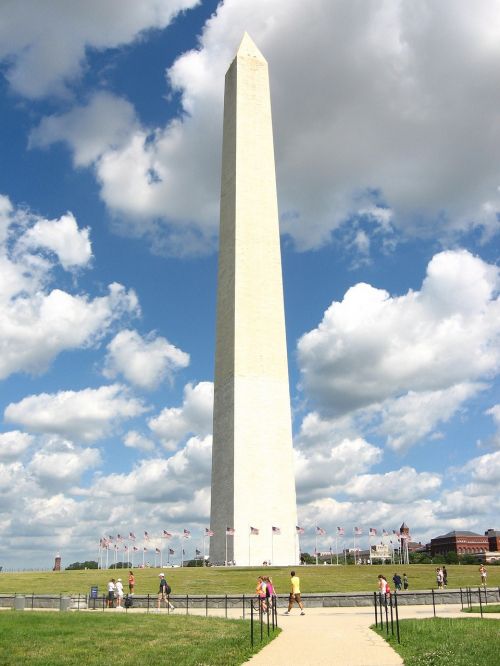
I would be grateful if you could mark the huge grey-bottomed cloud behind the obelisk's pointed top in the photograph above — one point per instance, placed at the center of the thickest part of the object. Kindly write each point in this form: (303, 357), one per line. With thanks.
(374, 80)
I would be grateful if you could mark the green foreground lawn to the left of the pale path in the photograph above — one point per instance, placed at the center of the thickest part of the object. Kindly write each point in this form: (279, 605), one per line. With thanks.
(70, 639)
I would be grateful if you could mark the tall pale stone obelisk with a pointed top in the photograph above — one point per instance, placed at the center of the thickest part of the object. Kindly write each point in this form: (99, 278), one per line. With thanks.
(253, 483)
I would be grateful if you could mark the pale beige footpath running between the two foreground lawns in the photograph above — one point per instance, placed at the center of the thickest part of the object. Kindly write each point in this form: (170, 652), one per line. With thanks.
(326, 636)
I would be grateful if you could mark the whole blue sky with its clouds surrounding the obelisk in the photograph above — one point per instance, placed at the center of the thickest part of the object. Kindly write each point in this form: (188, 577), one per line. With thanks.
(386, 138)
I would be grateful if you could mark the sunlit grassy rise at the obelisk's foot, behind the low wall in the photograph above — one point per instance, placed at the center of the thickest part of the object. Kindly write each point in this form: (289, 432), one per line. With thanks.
(242, 580)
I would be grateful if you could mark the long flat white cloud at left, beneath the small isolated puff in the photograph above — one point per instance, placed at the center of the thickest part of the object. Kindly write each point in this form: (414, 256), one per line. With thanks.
(81, 415)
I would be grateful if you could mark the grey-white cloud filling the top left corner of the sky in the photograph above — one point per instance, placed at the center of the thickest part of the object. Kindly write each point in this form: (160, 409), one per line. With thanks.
(44, 45)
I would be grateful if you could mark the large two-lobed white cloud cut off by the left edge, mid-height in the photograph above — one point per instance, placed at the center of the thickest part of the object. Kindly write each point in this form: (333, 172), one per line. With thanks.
(37, 322)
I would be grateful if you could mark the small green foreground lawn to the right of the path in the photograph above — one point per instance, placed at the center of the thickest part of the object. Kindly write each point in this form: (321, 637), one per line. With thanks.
(448, 642)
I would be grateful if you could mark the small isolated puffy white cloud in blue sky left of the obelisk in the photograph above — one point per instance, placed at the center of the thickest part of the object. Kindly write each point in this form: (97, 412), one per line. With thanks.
(145, 362)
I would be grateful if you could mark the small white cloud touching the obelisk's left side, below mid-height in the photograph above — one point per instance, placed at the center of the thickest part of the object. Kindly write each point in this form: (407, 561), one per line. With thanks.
(194, 416)
